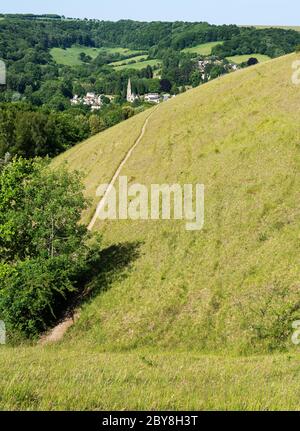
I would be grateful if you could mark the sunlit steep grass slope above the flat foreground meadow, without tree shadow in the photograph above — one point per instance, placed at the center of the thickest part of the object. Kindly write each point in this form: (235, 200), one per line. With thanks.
(233, 285)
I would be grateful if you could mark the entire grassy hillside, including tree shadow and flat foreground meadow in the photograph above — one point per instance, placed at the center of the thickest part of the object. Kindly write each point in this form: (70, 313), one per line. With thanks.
(173, 319)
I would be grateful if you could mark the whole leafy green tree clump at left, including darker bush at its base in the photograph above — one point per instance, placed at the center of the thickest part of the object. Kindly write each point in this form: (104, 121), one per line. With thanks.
(42, 243)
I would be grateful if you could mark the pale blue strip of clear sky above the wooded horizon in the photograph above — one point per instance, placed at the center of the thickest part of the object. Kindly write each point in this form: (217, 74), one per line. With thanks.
(273, 12)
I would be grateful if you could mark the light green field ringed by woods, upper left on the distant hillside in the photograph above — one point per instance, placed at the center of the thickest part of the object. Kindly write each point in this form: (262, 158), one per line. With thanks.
(70, 56)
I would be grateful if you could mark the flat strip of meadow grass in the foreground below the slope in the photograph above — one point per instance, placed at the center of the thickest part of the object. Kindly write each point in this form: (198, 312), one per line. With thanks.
(59, 378)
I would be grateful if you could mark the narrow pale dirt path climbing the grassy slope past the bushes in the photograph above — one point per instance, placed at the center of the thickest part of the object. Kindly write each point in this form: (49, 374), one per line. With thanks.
(57, 333)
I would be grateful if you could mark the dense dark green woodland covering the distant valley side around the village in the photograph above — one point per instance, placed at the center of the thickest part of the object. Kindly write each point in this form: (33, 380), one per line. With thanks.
(36, 118)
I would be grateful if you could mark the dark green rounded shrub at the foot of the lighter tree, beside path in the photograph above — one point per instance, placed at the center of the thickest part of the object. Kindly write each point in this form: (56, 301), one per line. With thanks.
(33, 291)
